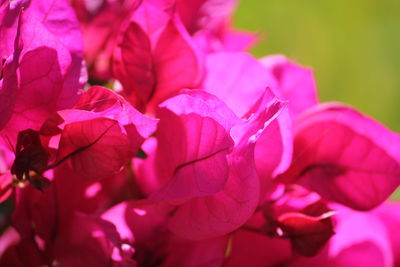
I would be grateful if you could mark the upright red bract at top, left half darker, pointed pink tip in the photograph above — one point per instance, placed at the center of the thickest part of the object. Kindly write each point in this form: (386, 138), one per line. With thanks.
(154, 61)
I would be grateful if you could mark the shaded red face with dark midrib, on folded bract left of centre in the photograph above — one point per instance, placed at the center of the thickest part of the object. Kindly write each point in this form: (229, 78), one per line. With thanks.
(97, 148)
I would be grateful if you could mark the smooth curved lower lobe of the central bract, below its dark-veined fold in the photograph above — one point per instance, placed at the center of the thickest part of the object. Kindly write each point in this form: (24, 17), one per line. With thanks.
(221, 213)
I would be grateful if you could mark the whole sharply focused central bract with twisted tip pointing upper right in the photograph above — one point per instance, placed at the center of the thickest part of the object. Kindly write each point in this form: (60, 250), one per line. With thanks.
(209, 201)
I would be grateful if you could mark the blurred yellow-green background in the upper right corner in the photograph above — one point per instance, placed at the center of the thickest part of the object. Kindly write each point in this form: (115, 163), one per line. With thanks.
(353, 47)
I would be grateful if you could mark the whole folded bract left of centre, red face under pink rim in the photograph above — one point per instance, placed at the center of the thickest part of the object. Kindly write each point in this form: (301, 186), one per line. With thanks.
(99, 137)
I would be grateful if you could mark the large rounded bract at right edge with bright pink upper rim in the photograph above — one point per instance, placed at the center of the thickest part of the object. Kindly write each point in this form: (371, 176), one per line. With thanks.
(345, 156)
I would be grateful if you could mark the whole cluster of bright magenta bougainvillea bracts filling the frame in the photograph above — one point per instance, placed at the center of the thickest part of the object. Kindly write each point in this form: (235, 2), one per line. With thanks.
(196, 153)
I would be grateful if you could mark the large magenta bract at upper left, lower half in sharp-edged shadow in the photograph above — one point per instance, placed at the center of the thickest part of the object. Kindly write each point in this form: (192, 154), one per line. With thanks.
(49, 75)
